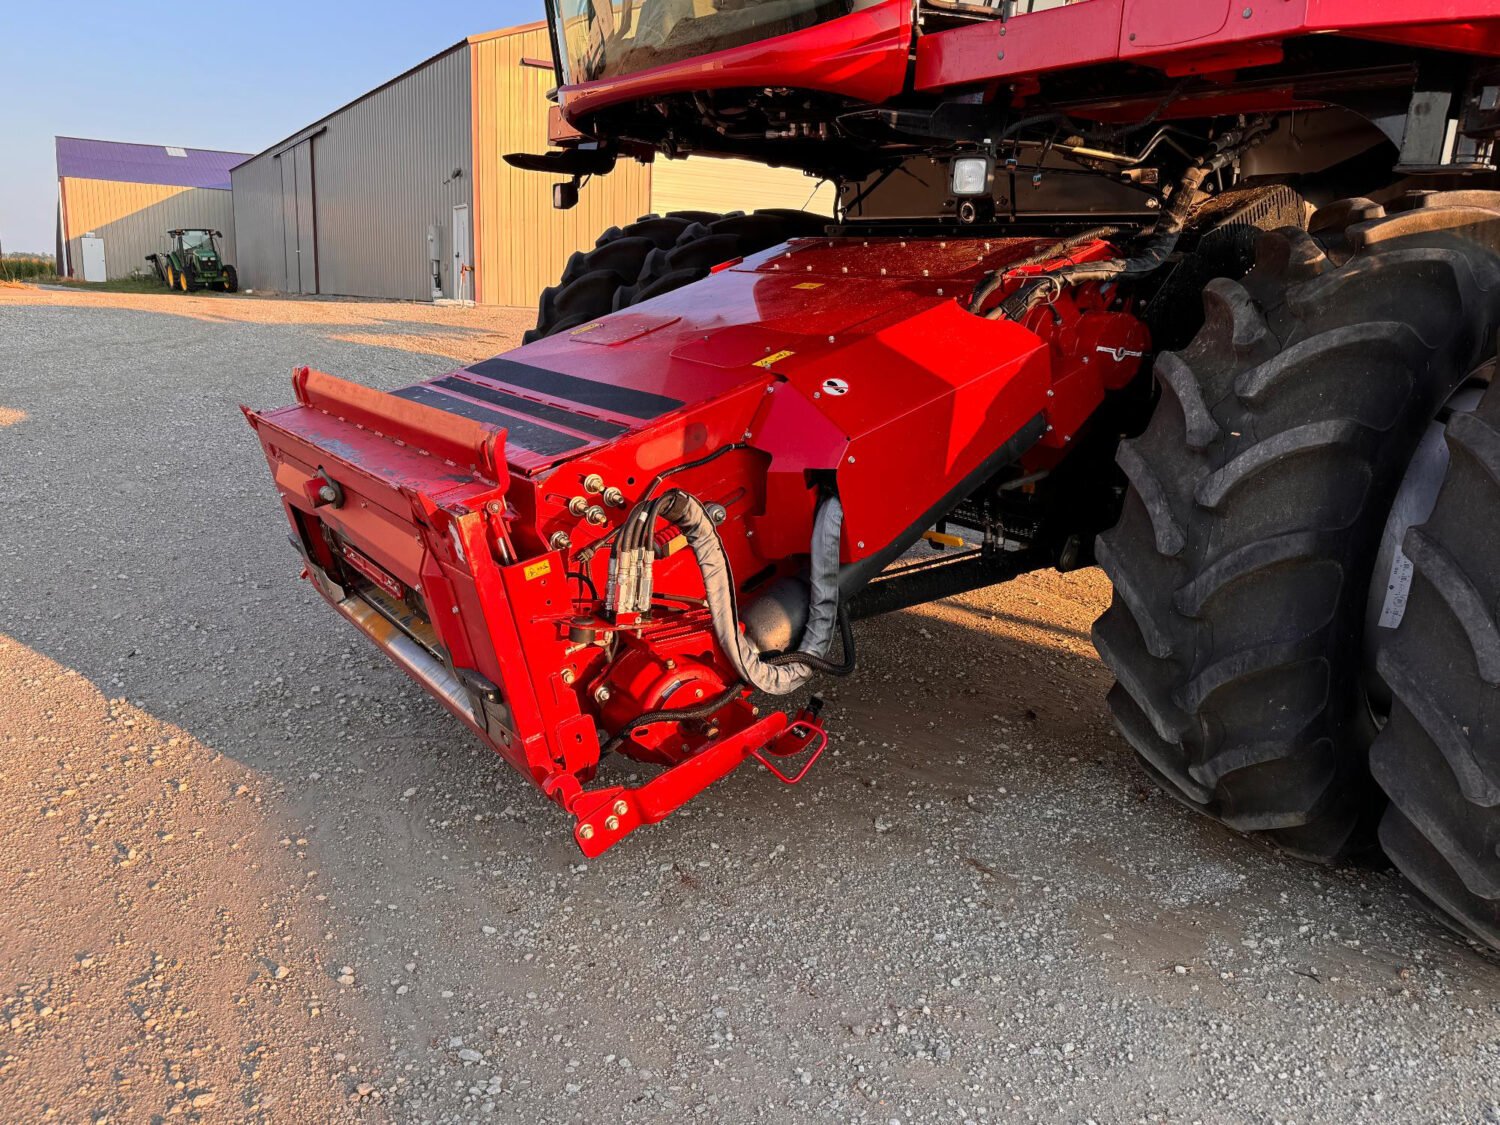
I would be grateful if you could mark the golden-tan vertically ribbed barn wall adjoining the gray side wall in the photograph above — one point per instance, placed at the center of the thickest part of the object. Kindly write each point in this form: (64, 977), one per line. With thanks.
(521, 242)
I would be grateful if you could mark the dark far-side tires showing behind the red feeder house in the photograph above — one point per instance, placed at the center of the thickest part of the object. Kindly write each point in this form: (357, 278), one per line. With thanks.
(659, 254)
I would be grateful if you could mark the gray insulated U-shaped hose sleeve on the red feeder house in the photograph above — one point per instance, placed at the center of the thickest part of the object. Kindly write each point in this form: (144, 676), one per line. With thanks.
(823, 616)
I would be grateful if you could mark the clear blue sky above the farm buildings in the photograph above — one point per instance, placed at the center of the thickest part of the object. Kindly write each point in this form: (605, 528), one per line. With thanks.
(259, 71)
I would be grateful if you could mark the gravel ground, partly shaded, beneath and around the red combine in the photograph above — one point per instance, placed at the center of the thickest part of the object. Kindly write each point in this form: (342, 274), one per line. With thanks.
(256, 875)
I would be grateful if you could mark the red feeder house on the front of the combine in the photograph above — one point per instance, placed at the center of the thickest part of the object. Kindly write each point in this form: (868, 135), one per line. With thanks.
(604, 541)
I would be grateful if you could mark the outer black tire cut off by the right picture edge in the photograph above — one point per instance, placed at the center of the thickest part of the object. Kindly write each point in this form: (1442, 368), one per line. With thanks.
(1439, 757)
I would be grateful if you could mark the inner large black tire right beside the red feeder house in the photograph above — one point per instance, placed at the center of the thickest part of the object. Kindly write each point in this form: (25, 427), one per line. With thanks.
(1258, 499)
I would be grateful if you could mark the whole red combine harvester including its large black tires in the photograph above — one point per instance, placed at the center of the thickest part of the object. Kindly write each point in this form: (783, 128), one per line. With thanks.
(1202, 292)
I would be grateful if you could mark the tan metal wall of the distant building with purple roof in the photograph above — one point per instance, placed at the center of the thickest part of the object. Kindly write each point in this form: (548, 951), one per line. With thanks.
(134, 218)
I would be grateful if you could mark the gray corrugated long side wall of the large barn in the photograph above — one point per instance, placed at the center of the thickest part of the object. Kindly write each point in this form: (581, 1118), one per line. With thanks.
(382, 175)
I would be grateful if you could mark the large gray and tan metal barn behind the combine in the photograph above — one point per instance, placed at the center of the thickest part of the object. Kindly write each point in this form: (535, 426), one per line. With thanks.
(403, 194)
